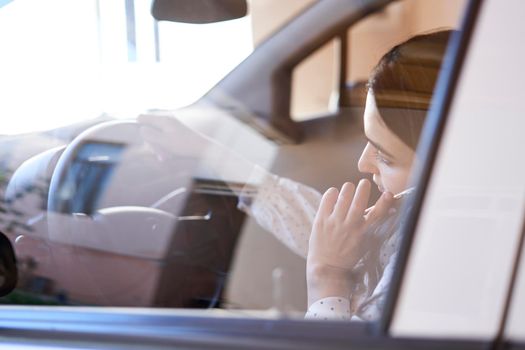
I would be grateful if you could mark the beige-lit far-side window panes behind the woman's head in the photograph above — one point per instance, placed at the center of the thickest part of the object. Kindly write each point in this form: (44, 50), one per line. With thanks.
(315, 90)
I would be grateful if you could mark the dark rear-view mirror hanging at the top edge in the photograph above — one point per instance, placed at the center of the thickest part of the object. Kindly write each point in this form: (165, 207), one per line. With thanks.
(198, 11)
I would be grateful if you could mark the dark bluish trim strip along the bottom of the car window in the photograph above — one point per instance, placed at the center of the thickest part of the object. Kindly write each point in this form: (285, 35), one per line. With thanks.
(125, 328)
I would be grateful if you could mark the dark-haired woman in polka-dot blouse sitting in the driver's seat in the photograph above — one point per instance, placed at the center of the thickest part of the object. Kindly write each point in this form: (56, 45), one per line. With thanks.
(351, 249)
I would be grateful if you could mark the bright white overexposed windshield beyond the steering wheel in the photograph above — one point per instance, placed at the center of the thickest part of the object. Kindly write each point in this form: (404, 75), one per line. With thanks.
(65, 62)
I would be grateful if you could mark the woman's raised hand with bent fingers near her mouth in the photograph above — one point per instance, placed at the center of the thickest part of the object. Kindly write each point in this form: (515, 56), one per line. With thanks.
(337, 236)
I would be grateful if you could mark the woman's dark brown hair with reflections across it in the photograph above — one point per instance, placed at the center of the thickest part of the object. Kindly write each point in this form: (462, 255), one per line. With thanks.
(403, 81)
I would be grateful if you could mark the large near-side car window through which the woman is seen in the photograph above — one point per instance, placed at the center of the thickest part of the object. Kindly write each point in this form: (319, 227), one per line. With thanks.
(139, 203)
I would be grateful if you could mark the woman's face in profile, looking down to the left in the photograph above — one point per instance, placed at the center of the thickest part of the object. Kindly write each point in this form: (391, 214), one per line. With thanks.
(385, 156)
